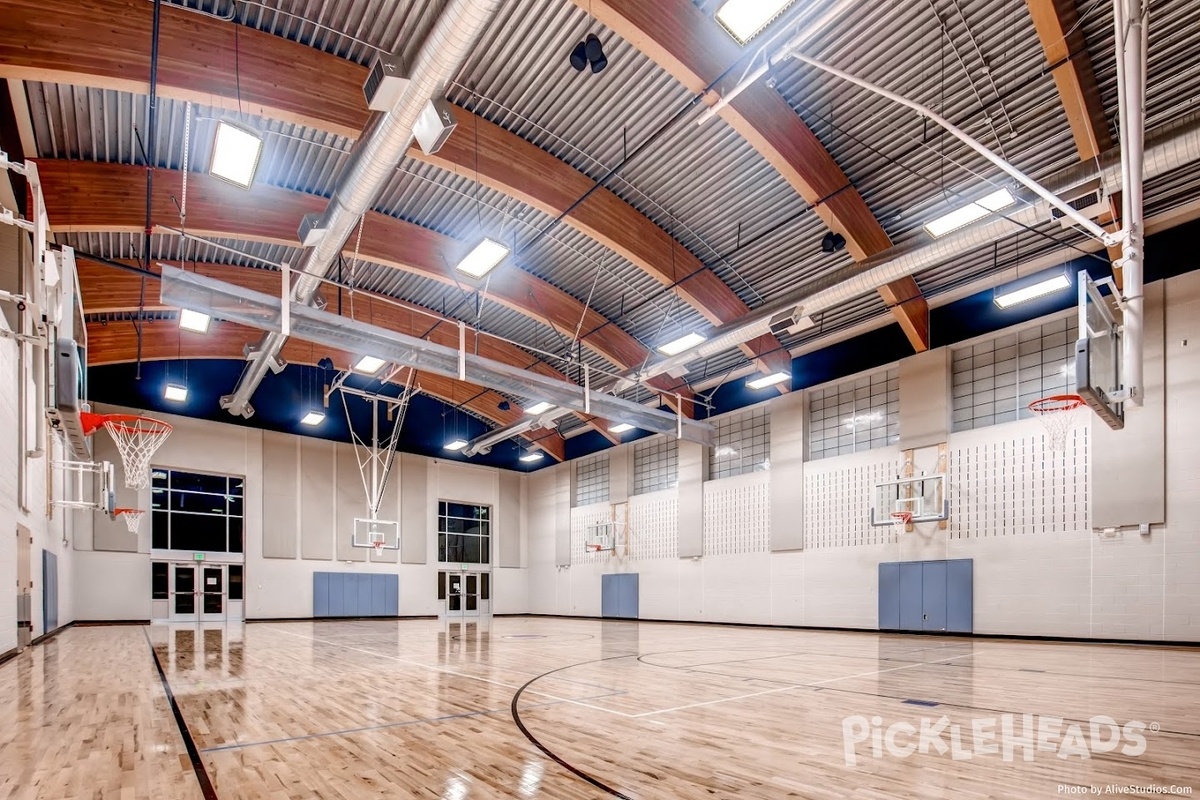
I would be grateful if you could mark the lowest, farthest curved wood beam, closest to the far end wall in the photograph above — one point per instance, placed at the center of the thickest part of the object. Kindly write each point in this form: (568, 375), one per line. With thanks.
(117, 342)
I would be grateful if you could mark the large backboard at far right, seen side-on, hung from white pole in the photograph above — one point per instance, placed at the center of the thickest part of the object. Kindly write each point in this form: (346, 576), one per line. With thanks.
(1099, 377)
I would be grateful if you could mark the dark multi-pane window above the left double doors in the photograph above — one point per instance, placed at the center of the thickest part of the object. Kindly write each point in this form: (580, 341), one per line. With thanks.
(191, 512)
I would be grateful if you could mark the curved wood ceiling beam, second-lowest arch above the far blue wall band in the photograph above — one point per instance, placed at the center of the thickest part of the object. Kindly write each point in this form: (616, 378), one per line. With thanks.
(107, 290)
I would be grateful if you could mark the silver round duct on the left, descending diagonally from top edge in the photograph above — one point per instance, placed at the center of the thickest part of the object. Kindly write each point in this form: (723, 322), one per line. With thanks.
(370, 166)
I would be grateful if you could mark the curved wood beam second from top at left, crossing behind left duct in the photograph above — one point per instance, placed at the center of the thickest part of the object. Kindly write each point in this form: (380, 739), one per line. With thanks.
(100, 197)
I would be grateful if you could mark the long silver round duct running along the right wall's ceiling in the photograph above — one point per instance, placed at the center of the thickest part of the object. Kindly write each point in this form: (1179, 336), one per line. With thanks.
(1169, 147)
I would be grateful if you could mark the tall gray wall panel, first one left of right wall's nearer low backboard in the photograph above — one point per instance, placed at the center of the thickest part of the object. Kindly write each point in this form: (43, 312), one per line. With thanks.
(788, 472)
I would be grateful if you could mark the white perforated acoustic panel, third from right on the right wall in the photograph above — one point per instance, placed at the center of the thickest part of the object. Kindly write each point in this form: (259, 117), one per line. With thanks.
(737, 516)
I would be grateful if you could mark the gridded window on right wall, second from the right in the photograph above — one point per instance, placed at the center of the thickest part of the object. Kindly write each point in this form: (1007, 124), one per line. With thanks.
(856, 416)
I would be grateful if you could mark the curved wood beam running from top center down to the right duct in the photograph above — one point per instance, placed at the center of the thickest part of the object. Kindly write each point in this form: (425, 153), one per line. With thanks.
(694, 50)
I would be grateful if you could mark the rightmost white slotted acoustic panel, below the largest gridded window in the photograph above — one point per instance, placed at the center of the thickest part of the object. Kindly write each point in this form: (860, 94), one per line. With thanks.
(1017, 485)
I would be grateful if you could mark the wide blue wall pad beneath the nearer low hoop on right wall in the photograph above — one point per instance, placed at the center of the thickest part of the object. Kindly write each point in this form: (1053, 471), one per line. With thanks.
(927, 596)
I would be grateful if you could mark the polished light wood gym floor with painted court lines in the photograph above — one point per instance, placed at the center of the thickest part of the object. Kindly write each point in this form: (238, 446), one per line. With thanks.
(425, 709)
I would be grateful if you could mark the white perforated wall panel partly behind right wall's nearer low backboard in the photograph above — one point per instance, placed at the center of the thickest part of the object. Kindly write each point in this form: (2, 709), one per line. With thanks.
(838, 496)
